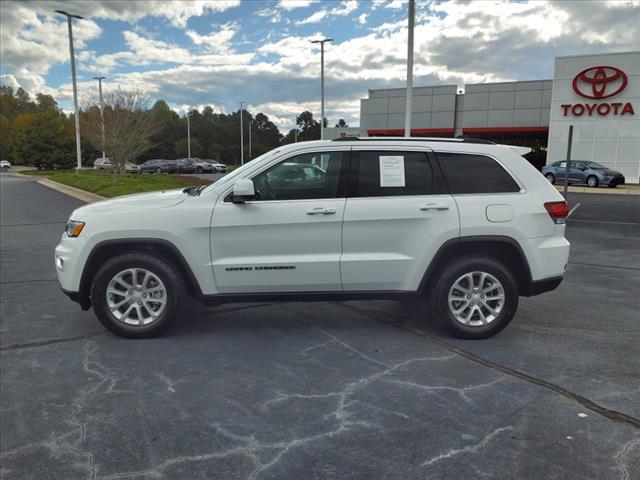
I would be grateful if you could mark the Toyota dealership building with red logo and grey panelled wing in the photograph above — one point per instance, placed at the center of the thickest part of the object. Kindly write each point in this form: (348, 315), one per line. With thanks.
(598, 94)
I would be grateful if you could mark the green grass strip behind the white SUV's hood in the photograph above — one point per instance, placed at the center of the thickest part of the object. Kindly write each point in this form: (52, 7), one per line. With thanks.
(102, 183)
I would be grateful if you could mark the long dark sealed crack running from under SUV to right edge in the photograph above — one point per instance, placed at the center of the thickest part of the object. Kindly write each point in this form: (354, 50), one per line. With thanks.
(580, 399)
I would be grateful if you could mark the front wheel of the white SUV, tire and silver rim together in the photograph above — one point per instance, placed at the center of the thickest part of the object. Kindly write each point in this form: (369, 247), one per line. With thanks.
(137, 294)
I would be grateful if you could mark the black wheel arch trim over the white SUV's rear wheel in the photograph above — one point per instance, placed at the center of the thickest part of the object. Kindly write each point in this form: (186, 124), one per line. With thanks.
(502, 248)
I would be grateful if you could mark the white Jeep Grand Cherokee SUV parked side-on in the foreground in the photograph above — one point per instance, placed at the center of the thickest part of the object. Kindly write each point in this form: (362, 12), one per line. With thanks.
(467, 223)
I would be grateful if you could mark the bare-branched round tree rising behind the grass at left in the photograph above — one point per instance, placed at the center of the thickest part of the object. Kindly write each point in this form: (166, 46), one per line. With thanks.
(128, 125)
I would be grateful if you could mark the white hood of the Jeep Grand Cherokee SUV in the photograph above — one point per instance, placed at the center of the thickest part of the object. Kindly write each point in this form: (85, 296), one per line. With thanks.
(134, 202)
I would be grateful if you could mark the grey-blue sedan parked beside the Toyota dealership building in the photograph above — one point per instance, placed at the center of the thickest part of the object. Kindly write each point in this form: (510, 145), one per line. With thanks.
(592, 174)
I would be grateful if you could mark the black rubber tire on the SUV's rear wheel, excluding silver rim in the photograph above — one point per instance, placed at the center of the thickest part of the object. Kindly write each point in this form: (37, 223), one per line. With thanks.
(450, 274)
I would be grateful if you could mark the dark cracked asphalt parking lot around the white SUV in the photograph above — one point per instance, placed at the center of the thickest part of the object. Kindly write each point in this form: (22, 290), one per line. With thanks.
(322, 390)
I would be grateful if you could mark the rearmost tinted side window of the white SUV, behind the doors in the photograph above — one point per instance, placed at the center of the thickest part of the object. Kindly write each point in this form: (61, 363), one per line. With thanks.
(471, 173)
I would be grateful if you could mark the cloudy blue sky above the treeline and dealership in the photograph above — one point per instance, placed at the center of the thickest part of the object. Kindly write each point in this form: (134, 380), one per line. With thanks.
(455, 43)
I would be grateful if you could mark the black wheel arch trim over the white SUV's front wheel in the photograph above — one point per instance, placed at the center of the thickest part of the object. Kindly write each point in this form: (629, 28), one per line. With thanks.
(108, 248)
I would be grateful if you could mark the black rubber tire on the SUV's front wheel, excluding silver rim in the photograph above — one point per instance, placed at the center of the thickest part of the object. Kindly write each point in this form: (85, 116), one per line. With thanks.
(168, 274)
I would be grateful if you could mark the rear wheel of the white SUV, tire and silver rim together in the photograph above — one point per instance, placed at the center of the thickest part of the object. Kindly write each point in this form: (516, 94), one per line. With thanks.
(476, 297)
